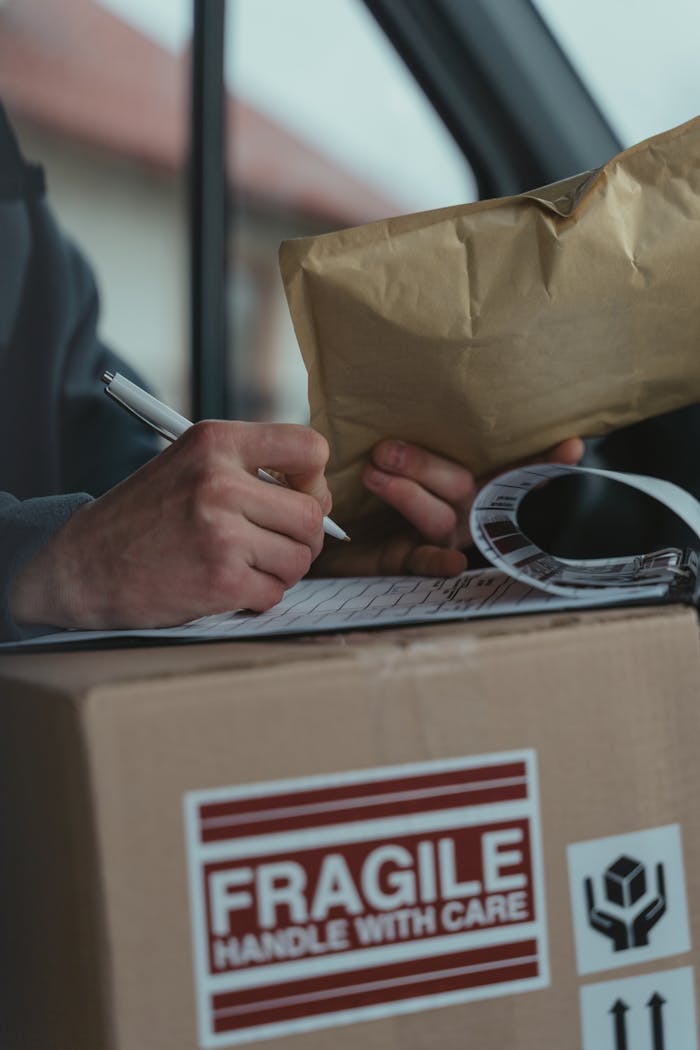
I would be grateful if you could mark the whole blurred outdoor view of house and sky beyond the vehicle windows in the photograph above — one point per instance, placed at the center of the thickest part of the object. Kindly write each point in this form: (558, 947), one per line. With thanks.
(327, 129)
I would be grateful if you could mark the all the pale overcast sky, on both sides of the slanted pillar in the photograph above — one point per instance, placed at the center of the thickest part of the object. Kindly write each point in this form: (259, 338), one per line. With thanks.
(324, 70)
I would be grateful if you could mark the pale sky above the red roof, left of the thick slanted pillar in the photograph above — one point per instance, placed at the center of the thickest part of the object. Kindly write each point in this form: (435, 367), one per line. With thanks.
(325, 71)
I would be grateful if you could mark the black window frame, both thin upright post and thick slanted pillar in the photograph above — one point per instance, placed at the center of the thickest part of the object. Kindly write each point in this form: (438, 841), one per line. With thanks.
(492, 69)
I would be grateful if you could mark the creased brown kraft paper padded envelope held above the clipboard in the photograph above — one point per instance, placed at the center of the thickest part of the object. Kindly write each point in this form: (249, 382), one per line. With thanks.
(491, 331)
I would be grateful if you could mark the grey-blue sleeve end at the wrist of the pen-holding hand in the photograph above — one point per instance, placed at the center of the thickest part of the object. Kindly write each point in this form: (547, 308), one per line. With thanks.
(26, 527)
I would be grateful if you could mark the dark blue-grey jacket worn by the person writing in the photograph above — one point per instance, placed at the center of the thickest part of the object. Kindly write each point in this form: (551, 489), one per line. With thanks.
(61, 440)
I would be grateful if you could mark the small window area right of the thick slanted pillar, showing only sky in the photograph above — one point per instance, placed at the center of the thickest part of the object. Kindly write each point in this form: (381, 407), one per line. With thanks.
(639, 58)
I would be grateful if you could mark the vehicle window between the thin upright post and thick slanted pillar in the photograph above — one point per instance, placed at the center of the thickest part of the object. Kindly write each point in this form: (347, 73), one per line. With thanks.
(329, 130)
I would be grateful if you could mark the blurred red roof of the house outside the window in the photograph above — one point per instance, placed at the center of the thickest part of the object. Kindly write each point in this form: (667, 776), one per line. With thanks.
(76, 69)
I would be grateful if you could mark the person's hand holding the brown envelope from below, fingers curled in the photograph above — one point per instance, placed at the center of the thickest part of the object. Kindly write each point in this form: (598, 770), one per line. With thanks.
(434, 496)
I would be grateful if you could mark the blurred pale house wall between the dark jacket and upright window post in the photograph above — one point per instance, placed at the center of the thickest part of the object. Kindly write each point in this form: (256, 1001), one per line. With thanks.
(132, 224)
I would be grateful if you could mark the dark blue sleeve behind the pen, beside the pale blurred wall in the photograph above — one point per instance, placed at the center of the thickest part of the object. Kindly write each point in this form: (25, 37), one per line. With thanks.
(80, 440)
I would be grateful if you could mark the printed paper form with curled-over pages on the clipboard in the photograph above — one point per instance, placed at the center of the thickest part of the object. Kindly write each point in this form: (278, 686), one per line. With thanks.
(533, 581)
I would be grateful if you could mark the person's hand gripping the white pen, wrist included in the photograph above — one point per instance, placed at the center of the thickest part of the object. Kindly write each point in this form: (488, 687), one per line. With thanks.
(194, 533)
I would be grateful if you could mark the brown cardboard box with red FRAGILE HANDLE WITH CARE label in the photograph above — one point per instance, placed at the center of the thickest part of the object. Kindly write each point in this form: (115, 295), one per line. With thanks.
(478, 835)
